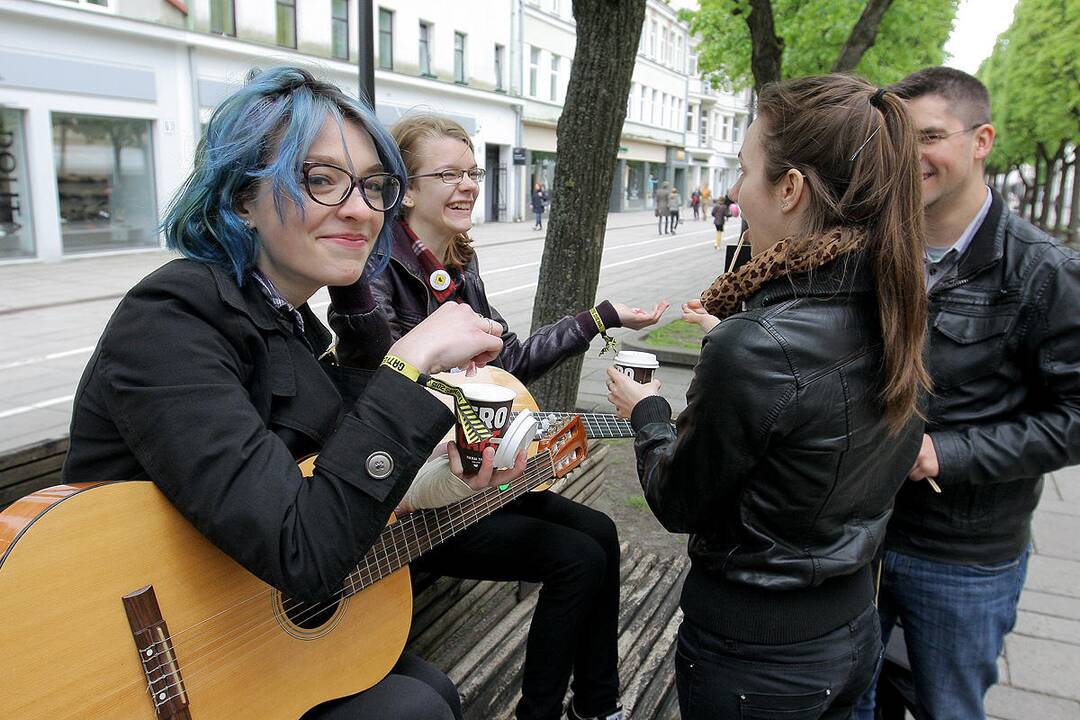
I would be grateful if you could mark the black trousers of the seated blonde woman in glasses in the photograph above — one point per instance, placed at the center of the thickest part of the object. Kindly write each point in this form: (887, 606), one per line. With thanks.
(574, 551)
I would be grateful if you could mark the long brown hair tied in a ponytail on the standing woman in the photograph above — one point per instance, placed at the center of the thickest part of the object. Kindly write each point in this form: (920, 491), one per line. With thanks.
(856, 146)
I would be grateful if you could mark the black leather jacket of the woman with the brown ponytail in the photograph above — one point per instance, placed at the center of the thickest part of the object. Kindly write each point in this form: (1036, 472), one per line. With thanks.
(781, 468)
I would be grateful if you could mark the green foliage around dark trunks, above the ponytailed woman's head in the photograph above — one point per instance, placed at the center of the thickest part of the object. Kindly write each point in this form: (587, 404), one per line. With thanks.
(813, 33)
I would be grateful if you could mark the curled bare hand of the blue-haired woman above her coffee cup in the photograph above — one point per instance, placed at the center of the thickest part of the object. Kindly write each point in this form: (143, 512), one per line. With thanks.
(453, 336)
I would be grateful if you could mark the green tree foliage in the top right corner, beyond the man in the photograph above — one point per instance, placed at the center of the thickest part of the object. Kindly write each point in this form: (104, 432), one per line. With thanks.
(1034, 78)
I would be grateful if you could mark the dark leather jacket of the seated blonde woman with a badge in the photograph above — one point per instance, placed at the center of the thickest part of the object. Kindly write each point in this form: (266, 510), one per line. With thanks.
(404, 302)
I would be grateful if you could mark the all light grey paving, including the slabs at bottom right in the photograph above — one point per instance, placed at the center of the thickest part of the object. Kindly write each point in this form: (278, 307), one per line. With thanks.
(52, 315)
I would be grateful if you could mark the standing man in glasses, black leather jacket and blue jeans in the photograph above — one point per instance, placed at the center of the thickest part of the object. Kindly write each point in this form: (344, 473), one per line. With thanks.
(1004, 354)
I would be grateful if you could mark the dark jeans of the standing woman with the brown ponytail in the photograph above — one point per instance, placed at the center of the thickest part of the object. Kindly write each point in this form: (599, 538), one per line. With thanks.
(820, 680)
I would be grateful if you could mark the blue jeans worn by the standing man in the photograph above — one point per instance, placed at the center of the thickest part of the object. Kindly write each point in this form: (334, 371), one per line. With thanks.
(955, 618)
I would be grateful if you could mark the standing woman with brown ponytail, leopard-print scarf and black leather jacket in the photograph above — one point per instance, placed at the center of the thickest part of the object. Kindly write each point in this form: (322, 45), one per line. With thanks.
(802, 420)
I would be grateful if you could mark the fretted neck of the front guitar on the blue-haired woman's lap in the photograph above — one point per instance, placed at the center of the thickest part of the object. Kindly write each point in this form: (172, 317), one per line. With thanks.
(417, 533)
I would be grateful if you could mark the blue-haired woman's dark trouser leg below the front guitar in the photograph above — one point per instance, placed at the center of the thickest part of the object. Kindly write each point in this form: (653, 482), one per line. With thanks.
(415, 690)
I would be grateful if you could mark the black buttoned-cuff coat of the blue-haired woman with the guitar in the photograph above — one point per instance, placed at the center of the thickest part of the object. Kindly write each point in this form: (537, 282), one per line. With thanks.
(201, 387)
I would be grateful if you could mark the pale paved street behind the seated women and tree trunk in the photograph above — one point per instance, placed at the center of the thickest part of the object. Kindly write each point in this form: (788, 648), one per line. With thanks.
(53, 314)
